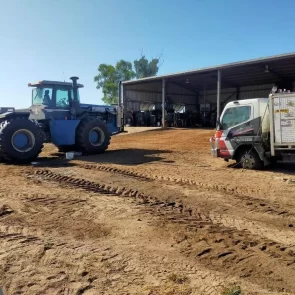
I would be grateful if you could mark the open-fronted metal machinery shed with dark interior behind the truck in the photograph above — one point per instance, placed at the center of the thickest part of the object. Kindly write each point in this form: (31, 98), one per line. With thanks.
(195, 98)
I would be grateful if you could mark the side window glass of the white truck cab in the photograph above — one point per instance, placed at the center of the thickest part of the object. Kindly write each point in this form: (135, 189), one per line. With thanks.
(235, 116)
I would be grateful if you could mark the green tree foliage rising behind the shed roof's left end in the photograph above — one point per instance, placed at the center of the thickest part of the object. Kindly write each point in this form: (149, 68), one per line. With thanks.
(109, 76)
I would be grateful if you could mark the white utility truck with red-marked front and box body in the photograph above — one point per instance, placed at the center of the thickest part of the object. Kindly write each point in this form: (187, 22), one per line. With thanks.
(256, 132)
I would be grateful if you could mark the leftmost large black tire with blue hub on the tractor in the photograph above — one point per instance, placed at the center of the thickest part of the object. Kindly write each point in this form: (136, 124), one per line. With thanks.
(21, 140)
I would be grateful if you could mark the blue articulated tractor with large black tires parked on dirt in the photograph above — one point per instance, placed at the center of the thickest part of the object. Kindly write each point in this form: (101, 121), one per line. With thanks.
(57, 116)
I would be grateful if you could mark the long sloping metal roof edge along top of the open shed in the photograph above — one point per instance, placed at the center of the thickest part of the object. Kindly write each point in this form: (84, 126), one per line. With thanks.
(215, 68)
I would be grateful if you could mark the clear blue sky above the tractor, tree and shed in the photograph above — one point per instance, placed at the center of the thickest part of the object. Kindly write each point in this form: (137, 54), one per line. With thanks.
(61, 38)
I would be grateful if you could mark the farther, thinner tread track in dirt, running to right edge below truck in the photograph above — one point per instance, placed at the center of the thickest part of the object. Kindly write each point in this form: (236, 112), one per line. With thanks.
(251, 203)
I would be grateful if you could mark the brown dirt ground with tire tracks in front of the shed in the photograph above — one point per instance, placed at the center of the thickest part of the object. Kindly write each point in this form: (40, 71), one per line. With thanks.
(154, 215)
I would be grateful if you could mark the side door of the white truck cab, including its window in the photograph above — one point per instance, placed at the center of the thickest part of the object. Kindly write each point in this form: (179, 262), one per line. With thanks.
(237, 128)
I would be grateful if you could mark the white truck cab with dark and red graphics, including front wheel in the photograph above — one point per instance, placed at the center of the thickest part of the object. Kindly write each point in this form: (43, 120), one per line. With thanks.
(241, 133)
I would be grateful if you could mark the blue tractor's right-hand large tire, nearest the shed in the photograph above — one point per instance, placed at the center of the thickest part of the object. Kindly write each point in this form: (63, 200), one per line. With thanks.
(92, 136)
